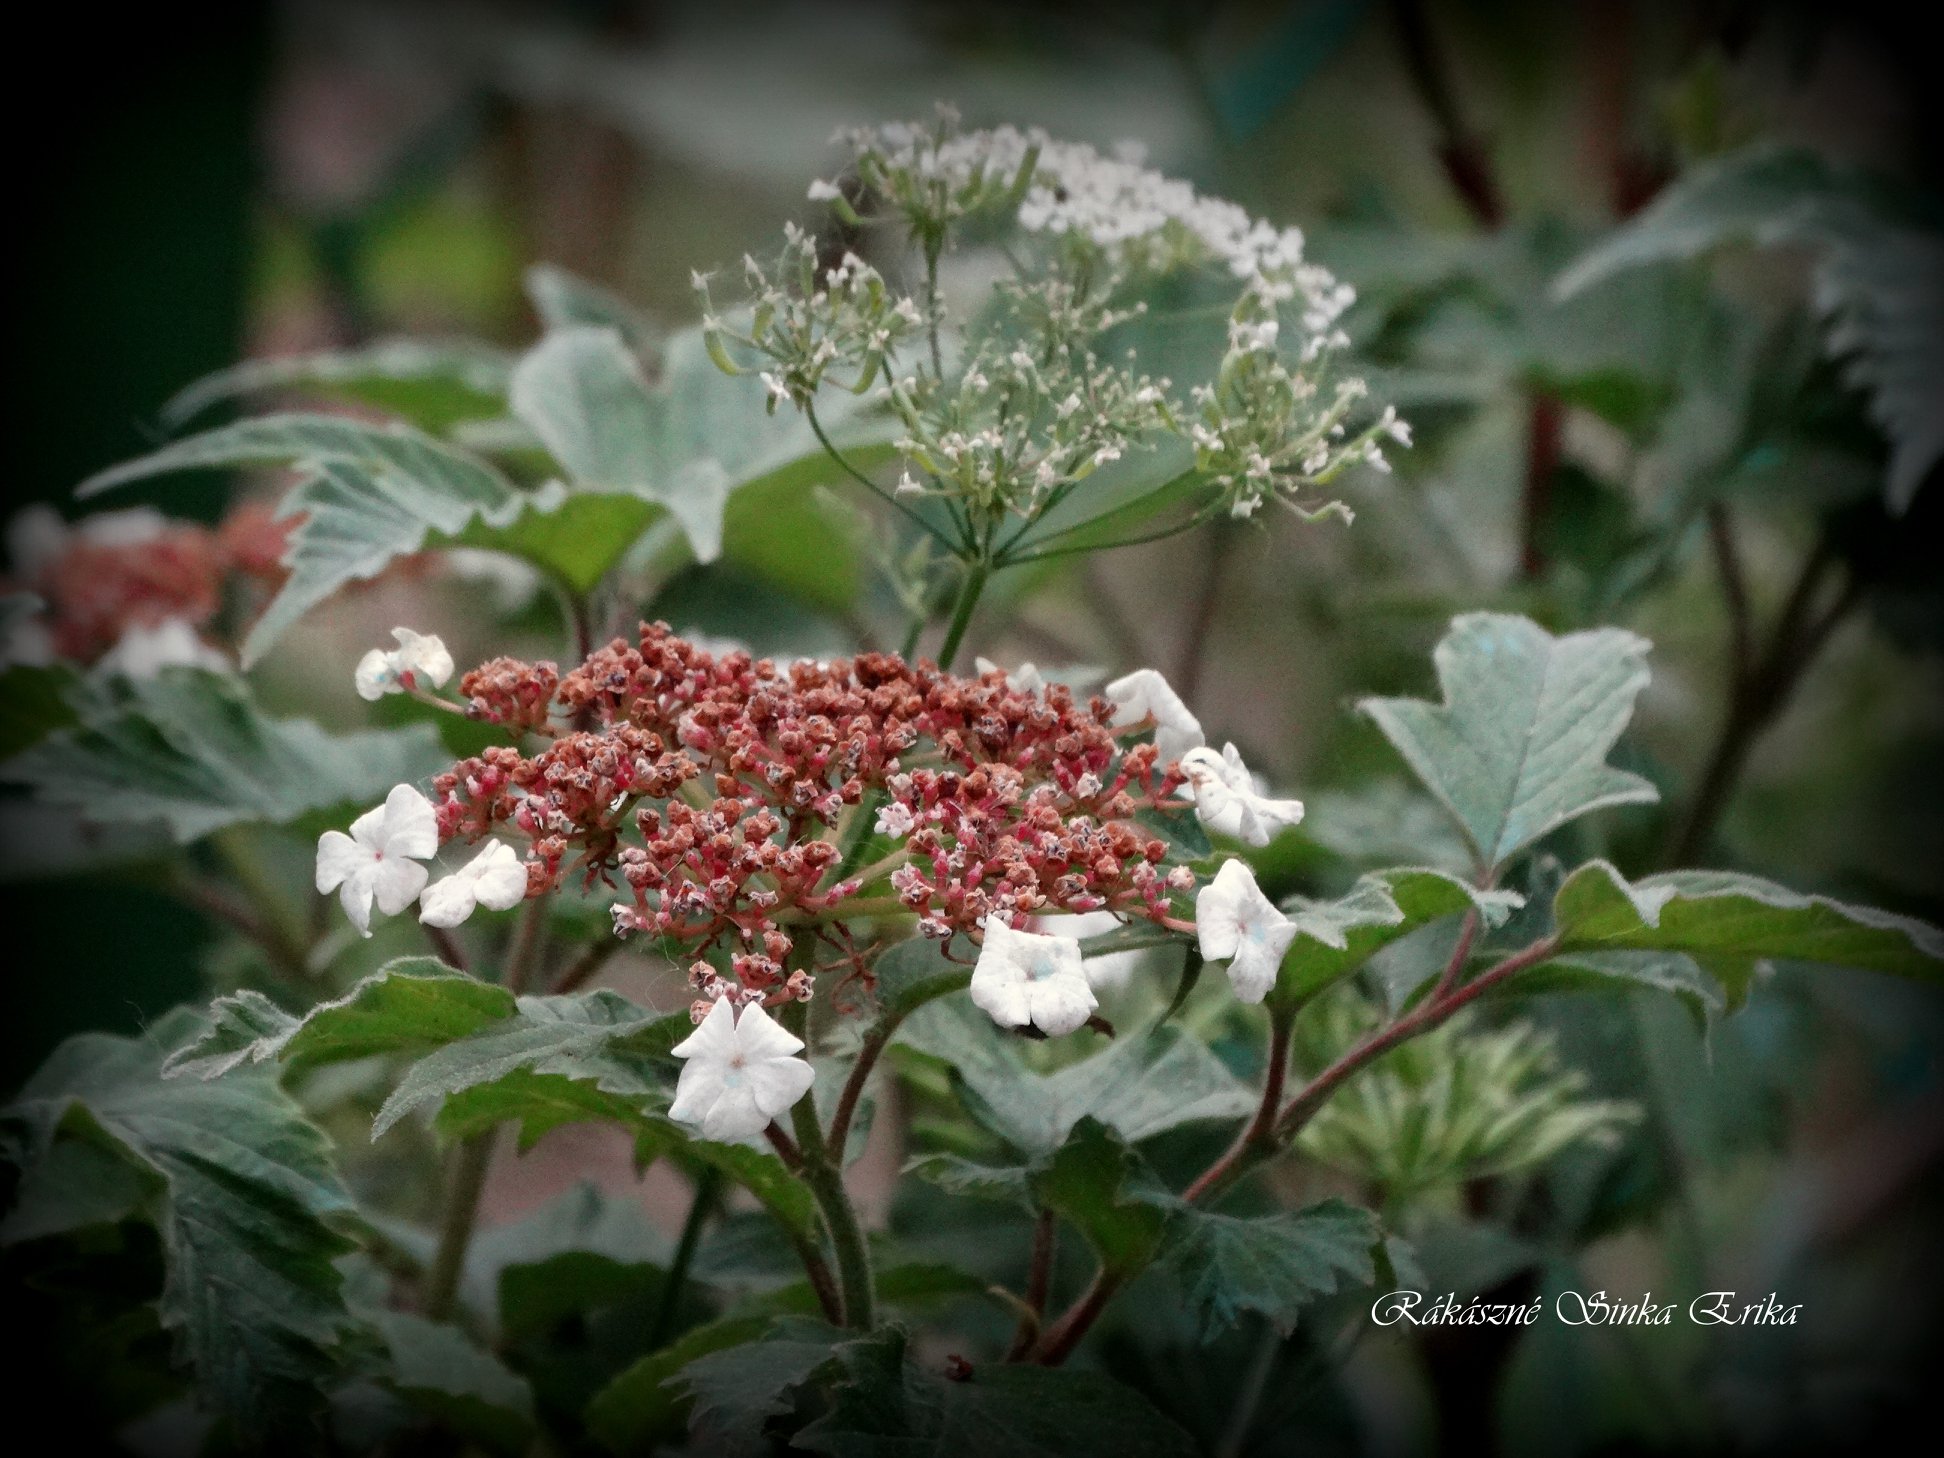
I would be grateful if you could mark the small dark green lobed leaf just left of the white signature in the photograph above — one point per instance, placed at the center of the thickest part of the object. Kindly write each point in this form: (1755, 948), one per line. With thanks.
(1268, 1265)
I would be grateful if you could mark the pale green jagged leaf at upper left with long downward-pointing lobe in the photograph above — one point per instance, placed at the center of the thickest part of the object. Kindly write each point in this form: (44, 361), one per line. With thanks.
(370, 495)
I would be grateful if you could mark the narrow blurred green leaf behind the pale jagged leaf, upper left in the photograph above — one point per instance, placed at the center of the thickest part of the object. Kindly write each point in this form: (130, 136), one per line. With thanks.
(431, 384)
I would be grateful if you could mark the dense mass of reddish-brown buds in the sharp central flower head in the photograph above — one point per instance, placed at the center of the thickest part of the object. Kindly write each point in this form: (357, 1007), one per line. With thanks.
(722, 796)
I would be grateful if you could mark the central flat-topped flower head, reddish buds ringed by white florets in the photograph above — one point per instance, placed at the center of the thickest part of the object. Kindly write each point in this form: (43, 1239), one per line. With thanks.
(769, 821)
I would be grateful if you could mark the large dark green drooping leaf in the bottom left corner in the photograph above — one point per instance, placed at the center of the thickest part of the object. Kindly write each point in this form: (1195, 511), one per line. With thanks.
(242, 1195)
